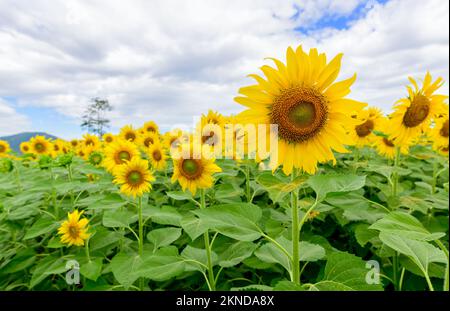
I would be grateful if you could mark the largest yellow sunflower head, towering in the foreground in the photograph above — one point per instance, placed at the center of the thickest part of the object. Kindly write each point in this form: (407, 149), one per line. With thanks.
(309, 109)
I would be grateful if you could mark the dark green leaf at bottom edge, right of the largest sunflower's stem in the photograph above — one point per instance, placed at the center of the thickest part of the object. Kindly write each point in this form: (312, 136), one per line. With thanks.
(348, 270)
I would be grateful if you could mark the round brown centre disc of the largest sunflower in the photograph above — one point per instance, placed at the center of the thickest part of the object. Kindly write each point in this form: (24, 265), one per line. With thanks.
(300, 113)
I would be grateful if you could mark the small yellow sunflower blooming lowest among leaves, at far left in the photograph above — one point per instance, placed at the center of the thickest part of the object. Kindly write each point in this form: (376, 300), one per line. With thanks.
(73, 231)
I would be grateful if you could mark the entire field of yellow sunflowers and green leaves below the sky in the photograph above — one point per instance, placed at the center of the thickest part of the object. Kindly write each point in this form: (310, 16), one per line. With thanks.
(346, 198)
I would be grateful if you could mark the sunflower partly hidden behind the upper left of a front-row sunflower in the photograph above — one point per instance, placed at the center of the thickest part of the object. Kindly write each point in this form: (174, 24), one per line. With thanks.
(119, 152)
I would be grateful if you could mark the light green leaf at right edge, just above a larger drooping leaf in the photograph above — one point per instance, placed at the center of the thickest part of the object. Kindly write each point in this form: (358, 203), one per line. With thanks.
(400, 223)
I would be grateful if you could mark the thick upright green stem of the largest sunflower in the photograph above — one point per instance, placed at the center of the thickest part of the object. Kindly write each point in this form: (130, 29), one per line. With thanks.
(295, 275)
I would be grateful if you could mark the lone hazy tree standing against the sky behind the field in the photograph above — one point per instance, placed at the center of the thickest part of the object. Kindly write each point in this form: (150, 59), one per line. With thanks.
(94, 119)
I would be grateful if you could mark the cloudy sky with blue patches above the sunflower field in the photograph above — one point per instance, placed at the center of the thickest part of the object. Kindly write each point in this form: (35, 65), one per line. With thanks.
(169, 61)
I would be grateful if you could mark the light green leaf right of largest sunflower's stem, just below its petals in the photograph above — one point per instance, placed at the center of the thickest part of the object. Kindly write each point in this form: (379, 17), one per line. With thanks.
(325, 184)
